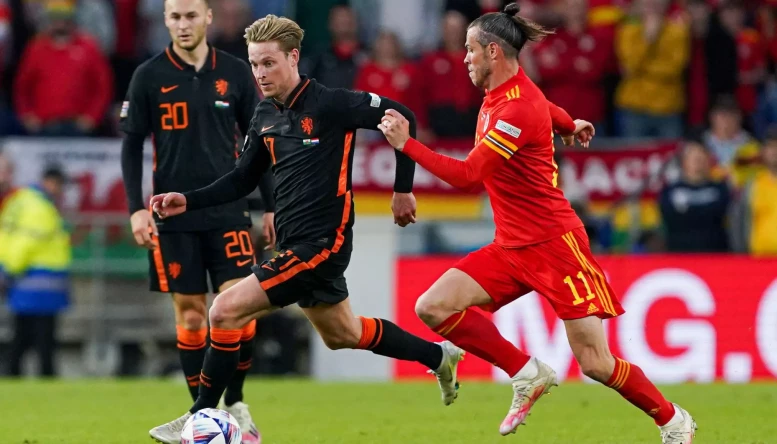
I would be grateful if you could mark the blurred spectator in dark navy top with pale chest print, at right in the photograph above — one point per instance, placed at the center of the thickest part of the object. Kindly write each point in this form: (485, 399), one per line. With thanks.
(694, 208)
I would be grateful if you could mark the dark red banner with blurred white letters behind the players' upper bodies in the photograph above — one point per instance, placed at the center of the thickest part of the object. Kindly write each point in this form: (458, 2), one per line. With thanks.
(604, 175)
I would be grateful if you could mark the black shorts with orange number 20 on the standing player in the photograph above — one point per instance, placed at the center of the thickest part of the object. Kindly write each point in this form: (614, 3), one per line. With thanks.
(181, 260)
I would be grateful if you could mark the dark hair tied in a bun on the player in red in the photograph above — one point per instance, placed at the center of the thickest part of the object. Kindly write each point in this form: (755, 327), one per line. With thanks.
(509, 30)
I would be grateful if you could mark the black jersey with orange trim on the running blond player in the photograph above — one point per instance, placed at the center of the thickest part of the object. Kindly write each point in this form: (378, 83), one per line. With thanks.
(309, 143)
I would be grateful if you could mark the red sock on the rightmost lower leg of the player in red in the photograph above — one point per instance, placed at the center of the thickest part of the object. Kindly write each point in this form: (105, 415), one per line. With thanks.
(629, 380)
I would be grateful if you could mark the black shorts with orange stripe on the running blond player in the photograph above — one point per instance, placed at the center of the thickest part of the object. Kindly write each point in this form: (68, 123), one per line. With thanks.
(306, 274)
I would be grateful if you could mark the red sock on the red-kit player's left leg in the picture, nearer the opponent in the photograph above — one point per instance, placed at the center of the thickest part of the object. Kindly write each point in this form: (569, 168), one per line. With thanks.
(474, 333)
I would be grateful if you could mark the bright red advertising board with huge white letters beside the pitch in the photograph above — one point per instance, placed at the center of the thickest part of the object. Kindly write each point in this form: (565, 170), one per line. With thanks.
(698, 318)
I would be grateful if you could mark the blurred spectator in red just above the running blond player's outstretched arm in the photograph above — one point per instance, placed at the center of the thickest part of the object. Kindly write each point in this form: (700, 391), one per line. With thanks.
(389, 74)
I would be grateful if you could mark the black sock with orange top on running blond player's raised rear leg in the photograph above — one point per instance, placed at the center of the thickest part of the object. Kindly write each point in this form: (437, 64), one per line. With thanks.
(384, 338)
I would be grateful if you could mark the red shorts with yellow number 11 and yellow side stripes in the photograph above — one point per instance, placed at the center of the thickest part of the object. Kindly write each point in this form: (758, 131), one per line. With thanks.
(563, 270)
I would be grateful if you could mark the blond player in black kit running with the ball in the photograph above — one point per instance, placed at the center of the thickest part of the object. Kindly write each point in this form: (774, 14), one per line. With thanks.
(305, 132)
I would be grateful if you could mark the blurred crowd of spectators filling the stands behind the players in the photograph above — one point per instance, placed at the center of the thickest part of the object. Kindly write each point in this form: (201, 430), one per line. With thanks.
(699, 70)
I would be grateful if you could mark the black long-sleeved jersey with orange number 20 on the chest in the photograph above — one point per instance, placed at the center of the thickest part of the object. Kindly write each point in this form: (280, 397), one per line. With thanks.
(191, 116)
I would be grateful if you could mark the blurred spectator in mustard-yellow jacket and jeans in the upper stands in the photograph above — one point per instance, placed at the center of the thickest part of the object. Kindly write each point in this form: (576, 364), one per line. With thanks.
(653, 53)
